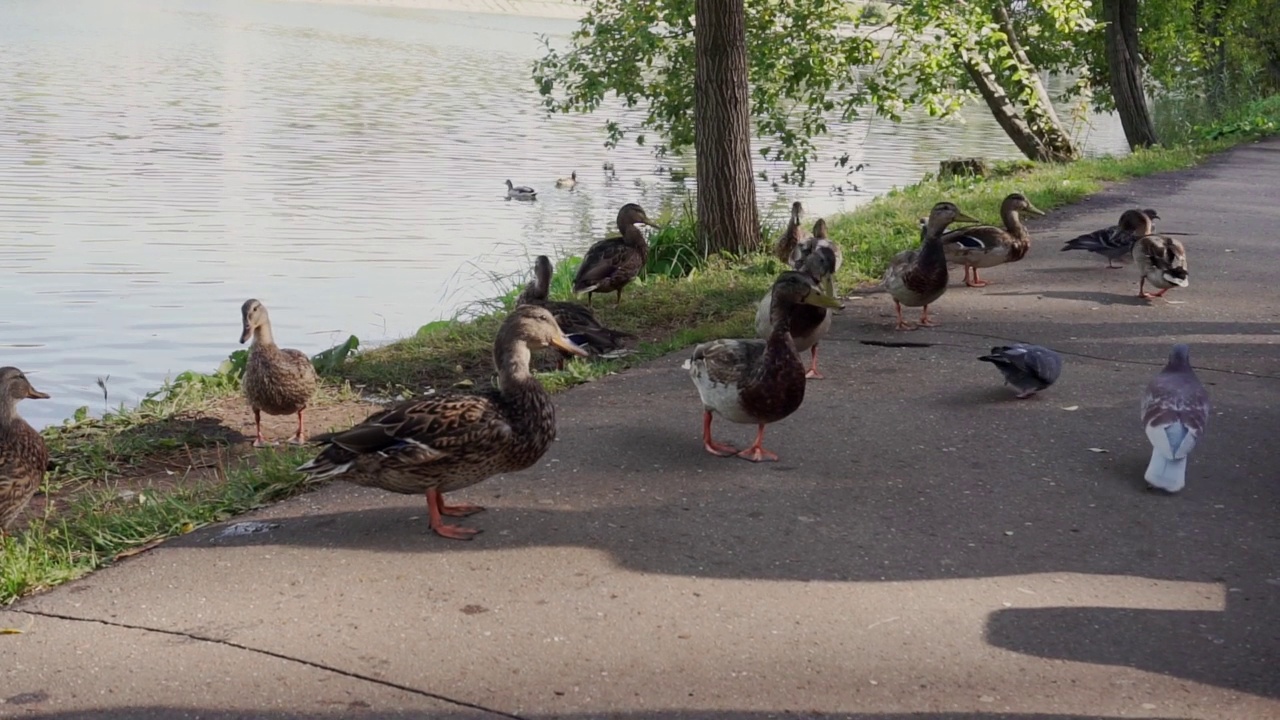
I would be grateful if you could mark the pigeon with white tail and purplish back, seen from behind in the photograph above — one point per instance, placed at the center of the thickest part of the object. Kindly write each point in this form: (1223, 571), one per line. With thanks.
(1174, 412)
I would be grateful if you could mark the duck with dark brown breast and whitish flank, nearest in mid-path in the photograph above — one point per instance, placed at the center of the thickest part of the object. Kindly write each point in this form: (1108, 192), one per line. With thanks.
(756, 381)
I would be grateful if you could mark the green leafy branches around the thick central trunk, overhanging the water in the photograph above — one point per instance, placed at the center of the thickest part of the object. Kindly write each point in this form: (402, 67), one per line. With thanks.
(811, 63)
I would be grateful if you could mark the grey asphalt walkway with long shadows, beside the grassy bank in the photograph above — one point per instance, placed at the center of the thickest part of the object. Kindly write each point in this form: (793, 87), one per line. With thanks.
(926, 549)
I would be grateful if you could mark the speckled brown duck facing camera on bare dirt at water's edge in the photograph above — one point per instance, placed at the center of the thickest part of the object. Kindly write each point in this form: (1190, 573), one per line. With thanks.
(277, 381)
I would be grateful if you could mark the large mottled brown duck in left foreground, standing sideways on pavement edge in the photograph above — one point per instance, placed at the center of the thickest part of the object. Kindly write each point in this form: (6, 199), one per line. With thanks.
(446, 443)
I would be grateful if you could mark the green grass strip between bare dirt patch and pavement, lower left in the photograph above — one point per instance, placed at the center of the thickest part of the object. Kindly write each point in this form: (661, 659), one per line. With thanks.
(103, 525)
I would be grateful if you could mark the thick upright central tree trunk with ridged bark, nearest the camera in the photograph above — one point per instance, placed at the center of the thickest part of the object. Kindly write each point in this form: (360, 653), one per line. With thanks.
(723, 130)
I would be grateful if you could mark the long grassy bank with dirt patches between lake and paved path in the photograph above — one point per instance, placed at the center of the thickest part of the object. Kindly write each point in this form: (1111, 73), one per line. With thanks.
(182, 458)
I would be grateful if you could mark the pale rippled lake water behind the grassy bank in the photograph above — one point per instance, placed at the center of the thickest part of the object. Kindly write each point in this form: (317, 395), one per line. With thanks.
(163, 161)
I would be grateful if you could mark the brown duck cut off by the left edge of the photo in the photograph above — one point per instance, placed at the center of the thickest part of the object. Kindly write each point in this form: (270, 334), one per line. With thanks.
(24, 457)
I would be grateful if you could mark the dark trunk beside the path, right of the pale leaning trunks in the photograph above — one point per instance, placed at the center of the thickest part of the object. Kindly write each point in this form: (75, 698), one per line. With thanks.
(1126, 70)
